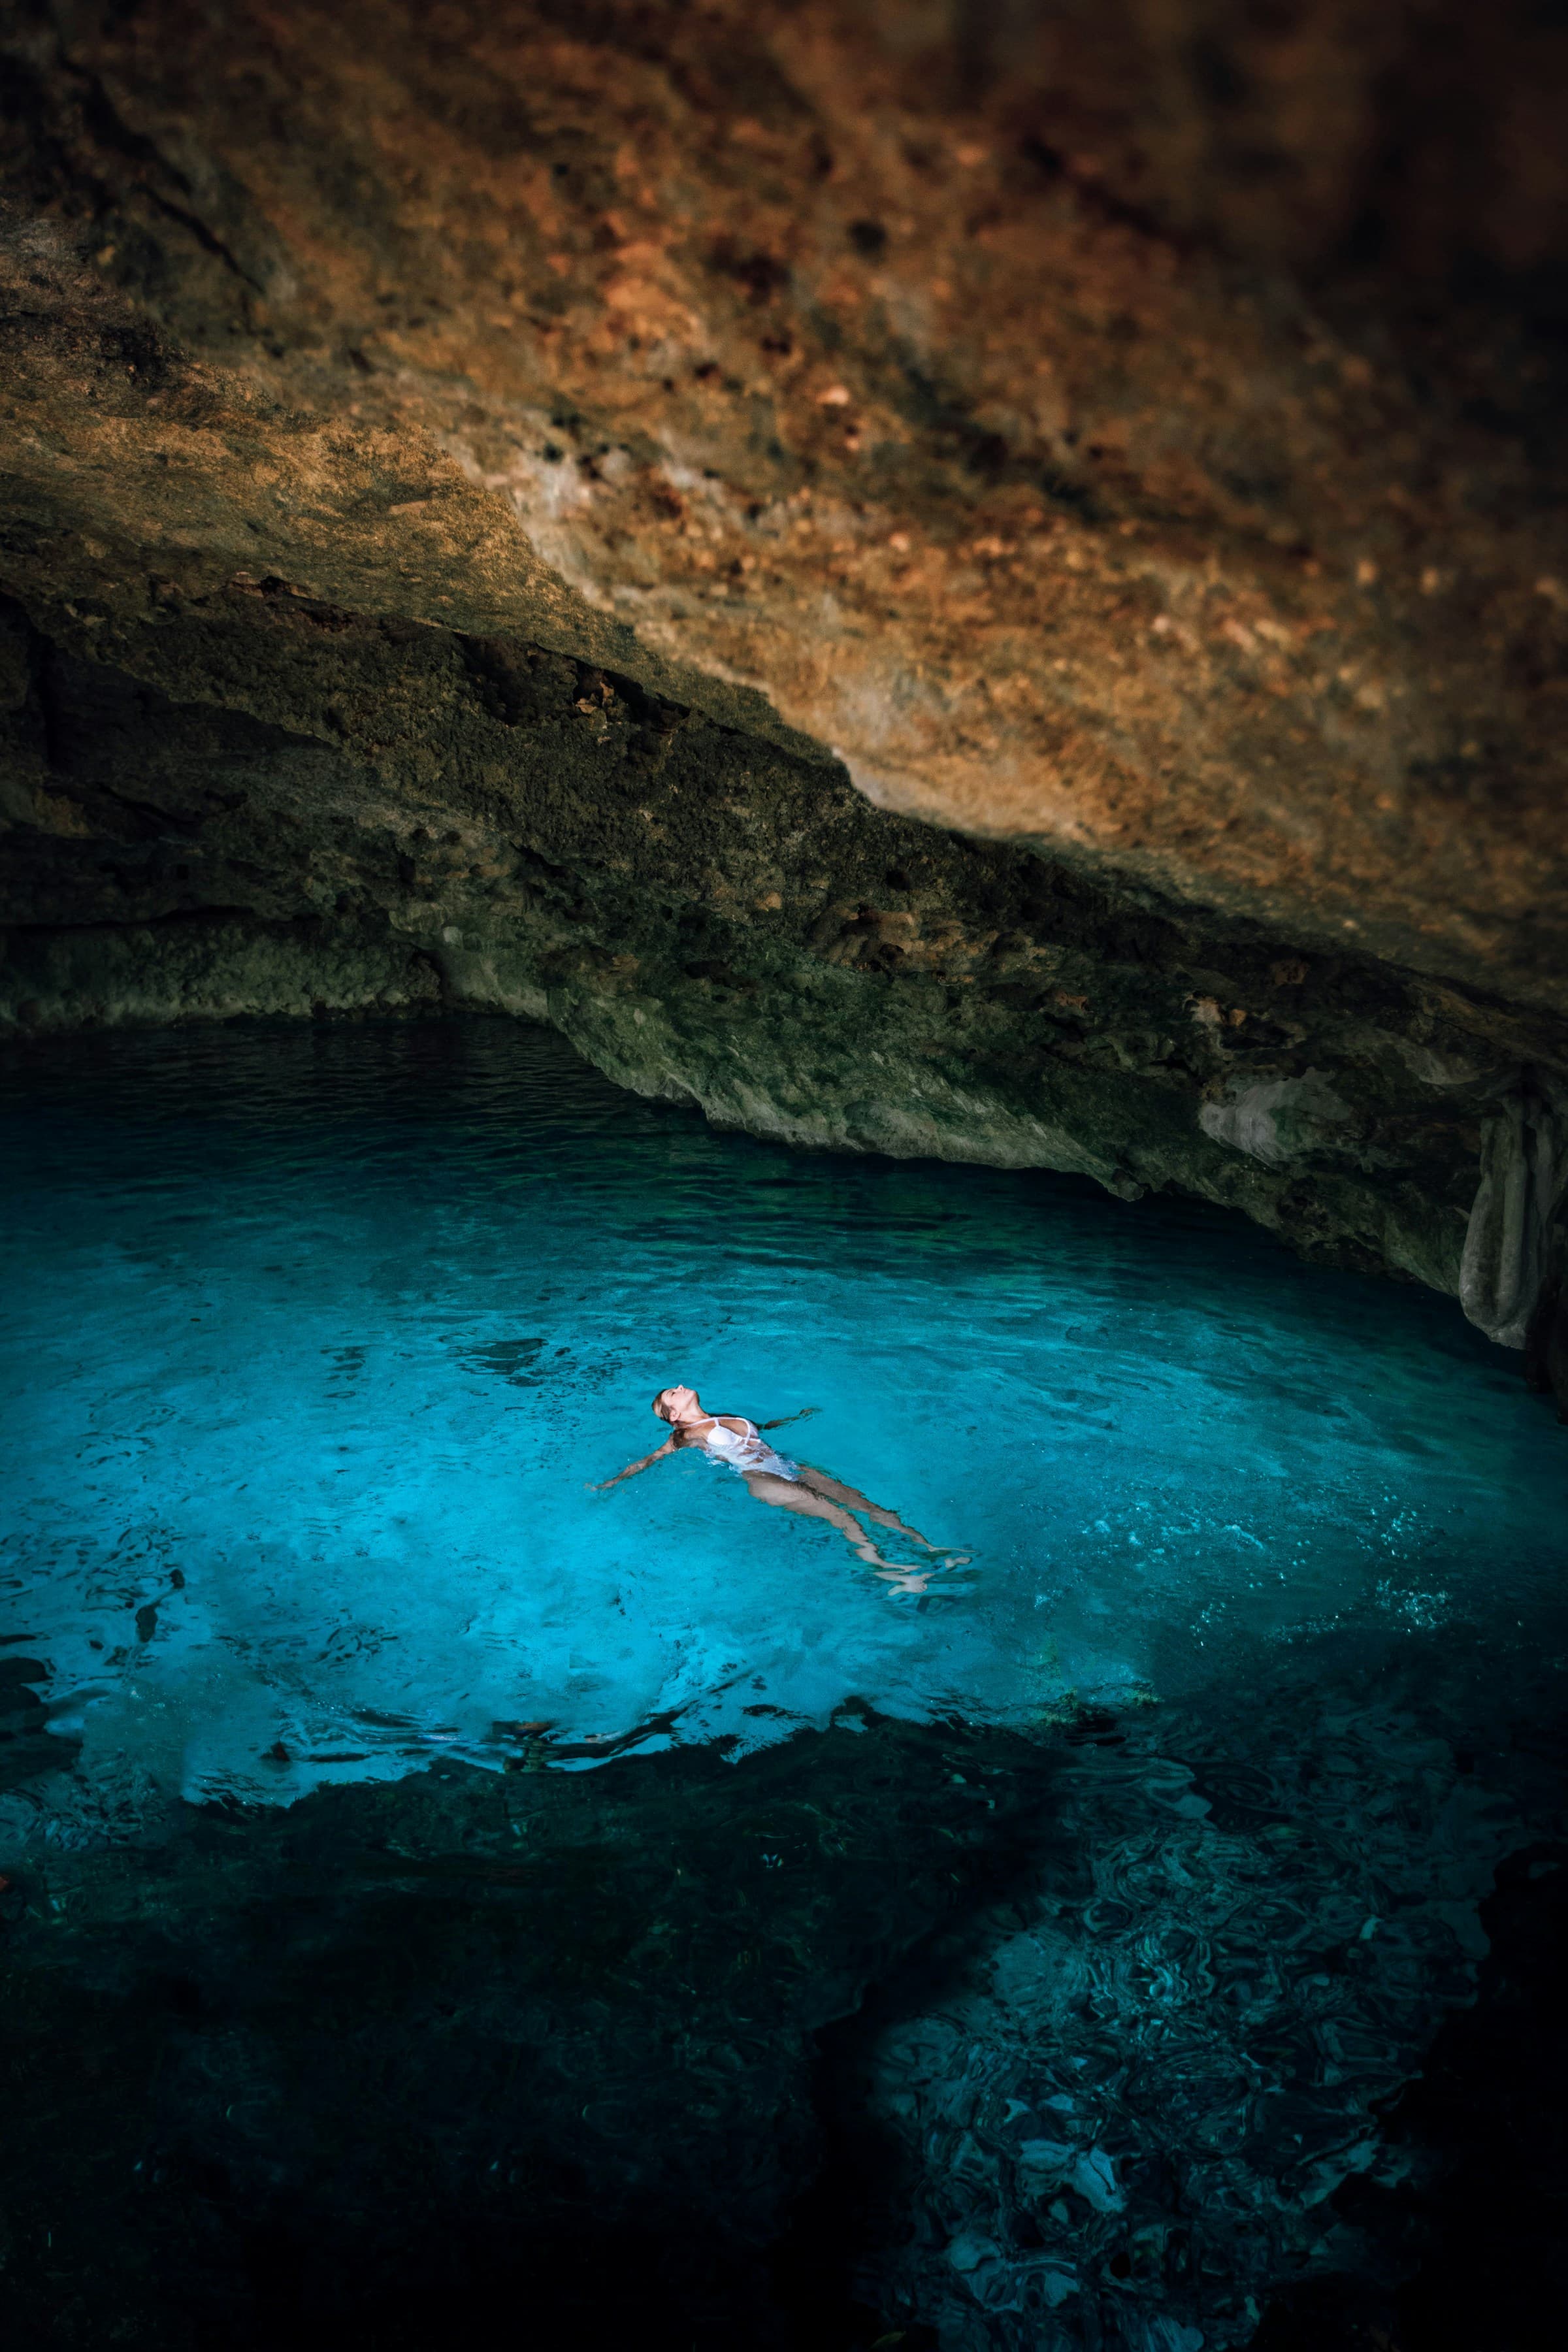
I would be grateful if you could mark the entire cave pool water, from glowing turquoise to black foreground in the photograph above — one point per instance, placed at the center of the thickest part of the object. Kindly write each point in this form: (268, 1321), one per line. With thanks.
(1033, 1963)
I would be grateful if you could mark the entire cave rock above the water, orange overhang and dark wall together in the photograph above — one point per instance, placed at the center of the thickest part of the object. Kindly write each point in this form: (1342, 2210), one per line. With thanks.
(1118, 441)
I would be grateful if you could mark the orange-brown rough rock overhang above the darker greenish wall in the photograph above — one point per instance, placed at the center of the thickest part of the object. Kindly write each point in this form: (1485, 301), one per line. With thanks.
(897, 368)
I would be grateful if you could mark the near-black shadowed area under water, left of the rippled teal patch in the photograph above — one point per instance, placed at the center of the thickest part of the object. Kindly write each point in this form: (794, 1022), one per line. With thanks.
(403, 2054)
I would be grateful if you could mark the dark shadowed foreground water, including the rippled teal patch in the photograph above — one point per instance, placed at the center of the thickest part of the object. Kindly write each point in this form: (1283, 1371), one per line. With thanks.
(1026, 2043)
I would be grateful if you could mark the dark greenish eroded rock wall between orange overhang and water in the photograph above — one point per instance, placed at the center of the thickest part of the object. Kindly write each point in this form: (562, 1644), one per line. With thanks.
(267, 806)
